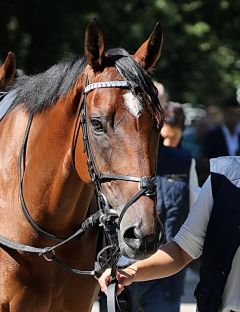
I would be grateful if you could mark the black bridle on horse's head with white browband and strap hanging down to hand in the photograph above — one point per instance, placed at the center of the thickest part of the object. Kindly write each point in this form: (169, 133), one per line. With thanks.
(110, 219)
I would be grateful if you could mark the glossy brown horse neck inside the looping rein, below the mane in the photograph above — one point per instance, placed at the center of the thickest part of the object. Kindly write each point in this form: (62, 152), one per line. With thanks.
(56, 197)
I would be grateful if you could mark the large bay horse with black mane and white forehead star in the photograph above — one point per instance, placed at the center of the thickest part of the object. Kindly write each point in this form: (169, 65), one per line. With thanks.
(87, 123)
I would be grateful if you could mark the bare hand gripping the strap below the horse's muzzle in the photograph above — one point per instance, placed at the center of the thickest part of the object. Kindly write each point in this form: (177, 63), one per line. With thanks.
(124, 277)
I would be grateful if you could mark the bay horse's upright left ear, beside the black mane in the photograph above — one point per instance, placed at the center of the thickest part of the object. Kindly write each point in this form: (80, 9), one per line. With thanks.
(94, 46)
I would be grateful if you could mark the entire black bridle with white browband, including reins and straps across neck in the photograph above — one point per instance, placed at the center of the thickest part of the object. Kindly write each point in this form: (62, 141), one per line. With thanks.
(106, 216)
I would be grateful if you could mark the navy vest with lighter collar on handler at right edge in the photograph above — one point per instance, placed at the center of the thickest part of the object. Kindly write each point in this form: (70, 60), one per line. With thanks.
(223, 233)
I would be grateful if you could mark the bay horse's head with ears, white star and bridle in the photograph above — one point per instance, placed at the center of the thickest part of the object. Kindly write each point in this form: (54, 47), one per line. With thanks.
(123, 119)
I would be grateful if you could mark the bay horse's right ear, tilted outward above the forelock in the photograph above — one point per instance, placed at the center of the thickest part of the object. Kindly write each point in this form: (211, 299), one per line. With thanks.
(149, 52)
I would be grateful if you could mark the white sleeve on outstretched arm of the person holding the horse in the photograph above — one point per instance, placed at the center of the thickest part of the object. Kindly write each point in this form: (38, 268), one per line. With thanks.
(191, 235)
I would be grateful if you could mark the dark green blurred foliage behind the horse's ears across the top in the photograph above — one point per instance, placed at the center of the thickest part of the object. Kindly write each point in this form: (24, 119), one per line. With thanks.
(200, 57)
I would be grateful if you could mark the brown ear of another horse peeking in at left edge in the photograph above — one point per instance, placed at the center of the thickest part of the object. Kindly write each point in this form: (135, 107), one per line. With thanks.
(7, 70)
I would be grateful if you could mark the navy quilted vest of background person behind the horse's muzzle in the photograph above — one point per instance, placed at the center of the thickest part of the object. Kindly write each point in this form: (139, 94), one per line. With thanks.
(173, 168)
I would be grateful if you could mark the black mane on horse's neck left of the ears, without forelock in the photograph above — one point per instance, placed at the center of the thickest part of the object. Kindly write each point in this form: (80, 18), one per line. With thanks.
(43, 90)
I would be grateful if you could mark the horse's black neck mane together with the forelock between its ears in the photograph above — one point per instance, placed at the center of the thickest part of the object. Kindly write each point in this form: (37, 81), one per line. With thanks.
(41, 91)
